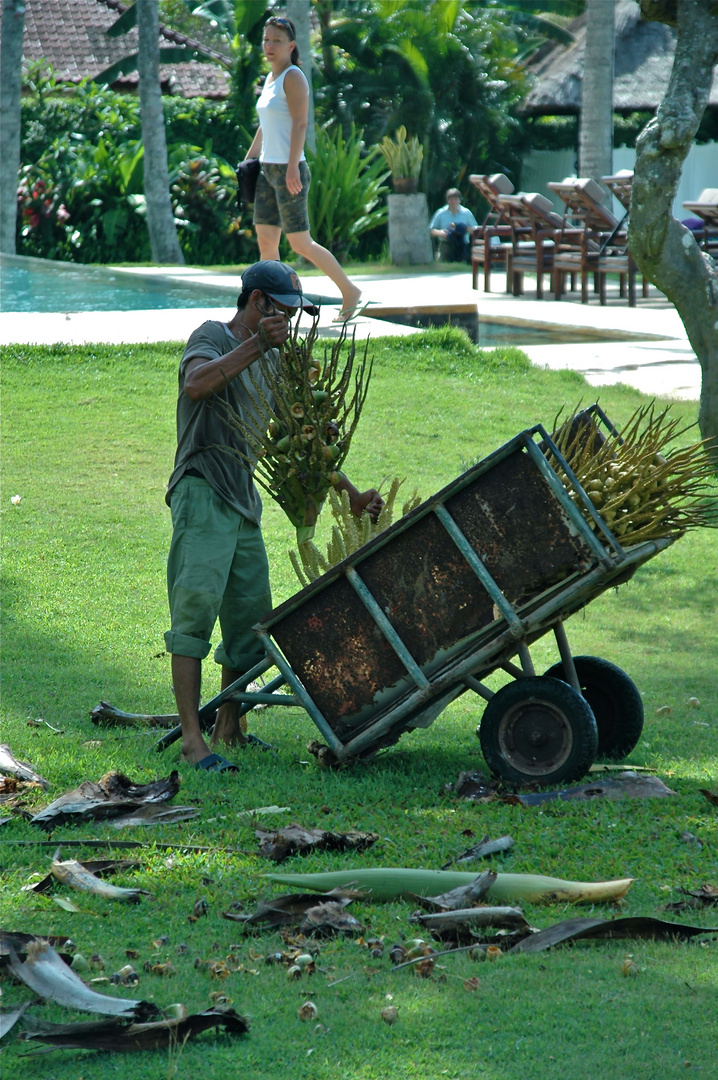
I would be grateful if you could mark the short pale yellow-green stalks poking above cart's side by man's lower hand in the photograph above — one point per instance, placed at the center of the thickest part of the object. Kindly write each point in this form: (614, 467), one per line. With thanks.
(348, 533)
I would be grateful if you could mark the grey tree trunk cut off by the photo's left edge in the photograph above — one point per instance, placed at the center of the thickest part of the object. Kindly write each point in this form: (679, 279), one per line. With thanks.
(11, 86)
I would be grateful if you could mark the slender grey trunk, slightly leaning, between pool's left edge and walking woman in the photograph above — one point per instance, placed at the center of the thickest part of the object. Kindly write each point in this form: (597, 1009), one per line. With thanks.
(160, 219)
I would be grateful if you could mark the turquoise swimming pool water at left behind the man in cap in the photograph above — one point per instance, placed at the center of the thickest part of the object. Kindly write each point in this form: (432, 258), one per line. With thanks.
(29, 285)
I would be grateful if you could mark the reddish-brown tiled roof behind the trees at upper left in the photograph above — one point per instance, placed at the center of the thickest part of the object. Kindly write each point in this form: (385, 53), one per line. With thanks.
(72, 36)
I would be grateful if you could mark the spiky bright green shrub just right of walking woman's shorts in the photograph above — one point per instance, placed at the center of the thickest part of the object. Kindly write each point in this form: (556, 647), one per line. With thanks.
(347, 190)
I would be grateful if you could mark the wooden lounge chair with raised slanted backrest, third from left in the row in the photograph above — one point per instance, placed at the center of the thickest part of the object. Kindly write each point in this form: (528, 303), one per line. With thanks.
(603, 248)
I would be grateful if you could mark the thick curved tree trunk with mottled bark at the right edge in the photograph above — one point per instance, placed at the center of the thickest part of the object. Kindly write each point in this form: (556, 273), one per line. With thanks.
(665, 250)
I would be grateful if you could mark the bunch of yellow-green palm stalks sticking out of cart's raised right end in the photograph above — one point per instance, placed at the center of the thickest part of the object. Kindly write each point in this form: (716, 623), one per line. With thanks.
(642, 484)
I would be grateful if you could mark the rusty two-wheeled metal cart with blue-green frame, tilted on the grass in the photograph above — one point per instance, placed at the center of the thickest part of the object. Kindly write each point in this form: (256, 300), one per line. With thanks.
(456, 590)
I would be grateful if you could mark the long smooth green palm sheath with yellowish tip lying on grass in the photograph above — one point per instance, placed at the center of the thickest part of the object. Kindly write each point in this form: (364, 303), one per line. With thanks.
(394, 883)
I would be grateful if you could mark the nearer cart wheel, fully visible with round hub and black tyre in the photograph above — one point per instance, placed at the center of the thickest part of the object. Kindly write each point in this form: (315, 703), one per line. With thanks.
(538, 731)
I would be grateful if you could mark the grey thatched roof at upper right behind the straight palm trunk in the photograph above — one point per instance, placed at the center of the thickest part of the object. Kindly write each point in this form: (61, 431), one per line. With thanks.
(644, 59)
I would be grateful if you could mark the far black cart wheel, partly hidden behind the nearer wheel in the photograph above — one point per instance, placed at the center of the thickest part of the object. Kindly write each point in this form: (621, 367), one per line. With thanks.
(615, 700)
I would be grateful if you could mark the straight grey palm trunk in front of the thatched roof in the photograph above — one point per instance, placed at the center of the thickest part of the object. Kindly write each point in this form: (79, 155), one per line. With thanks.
(597, 126)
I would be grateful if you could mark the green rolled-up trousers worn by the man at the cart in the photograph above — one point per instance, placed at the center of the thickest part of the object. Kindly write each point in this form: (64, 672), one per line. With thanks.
(218, 570)
